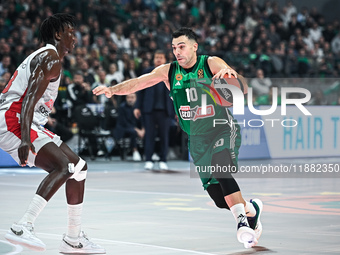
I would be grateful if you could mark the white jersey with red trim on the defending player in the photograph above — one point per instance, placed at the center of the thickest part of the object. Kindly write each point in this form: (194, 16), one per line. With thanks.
(14, 93)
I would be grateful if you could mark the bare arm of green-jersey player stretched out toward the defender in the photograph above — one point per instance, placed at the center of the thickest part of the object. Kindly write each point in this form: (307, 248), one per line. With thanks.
(159, 74)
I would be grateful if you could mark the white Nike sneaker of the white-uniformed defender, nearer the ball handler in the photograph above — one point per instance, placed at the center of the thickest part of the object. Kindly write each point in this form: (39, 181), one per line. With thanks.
(81, 245)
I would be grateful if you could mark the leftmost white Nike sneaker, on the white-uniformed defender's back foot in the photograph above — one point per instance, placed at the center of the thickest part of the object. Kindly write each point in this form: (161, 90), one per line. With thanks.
(23, 234)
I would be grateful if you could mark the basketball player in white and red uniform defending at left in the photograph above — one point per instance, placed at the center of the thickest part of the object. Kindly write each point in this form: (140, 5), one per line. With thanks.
(25, 104)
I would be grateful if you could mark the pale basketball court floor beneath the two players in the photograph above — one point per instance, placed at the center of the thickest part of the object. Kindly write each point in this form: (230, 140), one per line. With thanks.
(130, 211)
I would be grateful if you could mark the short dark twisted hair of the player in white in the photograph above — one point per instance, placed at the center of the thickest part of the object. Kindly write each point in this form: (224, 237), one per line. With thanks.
(55, 23)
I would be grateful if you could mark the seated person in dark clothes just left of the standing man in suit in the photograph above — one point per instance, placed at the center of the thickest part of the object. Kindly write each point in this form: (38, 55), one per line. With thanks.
(128, 126)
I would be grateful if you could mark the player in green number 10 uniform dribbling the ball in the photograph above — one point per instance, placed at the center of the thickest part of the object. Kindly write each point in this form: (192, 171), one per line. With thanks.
(186, 79)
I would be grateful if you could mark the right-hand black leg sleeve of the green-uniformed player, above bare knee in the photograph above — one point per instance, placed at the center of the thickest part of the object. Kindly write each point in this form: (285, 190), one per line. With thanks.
(226, 180)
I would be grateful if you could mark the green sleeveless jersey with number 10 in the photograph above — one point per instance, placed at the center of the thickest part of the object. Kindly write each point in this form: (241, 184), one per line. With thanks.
(194, 104)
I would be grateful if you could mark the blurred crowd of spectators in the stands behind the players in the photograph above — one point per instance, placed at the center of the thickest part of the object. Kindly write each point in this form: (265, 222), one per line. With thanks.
(116, 40)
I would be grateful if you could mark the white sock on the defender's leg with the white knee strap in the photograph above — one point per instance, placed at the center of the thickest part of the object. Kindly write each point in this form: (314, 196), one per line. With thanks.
(74, 220)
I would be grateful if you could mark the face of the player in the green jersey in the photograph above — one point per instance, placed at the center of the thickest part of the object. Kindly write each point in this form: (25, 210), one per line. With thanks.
(184, 51)
